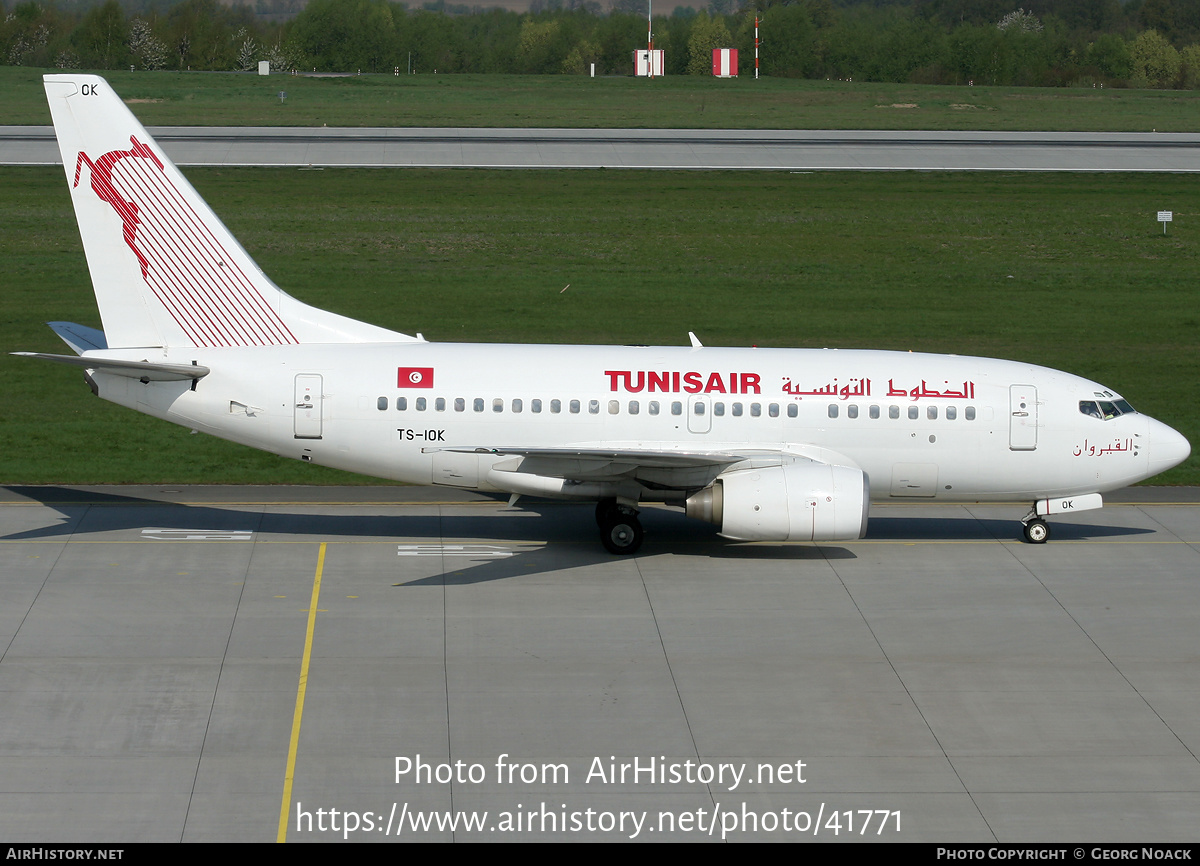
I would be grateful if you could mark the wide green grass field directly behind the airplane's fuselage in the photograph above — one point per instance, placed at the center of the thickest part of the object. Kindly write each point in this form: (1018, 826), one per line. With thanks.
(1071, 272)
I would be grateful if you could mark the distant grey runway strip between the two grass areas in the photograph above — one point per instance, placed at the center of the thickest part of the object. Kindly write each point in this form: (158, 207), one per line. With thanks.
(797, 151)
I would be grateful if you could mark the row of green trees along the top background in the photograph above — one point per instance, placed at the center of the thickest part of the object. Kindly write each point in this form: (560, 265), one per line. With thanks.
(1143, 44)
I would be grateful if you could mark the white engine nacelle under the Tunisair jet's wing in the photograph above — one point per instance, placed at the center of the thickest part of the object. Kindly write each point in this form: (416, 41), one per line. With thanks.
(802, 501)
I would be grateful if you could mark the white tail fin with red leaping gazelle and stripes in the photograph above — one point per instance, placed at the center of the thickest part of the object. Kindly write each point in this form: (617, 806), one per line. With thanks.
(166, 270)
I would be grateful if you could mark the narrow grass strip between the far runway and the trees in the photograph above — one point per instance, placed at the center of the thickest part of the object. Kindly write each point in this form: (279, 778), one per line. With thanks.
(205, 99)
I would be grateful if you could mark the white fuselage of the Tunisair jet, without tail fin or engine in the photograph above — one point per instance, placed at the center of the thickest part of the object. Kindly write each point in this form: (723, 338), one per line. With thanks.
(919, 425)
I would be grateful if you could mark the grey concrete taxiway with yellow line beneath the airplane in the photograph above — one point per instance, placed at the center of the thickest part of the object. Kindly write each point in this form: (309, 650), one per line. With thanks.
(171, 653)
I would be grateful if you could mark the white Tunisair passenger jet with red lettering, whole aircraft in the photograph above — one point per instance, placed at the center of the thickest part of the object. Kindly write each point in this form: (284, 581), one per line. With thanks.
(767, 444)
